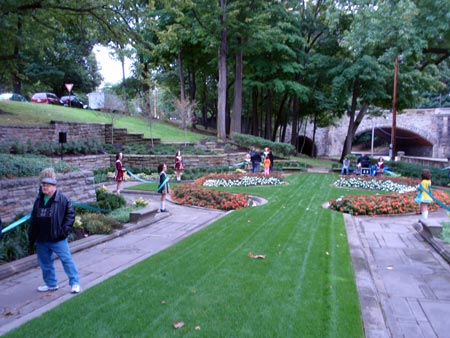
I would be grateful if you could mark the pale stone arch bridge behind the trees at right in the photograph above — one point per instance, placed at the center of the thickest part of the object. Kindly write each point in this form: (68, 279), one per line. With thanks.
(419, 132)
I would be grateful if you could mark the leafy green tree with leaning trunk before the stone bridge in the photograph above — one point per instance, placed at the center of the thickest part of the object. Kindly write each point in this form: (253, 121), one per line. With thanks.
(377, 34)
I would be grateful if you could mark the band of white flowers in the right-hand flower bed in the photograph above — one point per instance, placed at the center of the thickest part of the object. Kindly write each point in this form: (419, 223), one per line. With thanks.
(382, 185)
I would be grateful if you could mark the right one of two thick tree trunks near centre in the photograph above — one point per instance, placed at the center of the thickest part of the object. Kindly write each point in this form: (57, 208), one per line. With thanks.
(236, 115)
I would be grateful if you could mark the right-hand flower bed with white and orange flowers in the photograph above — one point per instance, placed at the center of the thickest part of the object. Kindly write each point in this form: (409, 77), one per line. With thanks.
(396, 203)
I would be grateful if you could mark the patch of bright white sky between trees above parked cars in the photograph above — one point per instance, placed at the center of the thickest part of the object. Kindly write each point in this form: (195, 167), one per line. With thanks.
(111, 69)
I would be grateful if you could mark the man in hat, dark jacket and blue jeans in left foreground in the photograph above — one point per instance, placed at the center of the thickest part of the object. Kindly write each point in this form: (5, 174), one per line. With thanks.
(51, 220)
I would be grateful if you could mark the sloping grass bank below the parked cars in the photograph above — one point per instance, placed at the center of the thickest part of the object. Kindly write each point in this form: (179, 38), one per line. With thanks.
(41, 114)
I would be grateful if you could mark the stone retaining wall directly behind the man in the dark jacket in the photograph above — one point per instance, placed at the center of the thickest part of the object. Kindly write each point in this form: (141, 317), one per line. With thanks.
(18, 195)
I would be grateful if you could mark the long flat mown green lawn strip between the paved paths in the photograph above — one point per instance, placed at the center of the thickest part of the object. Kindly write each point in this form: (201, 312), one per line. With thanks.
(304, 288)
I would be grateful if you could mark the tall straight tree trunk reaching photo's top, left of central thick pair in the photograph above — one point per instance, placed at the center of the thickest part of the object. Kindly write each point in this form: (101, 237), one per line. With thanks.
(222, 85)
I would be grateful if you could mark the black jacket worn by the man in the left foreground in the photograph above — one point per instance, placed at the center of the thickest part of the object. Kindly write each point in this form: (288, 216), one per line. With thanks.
(62, 217)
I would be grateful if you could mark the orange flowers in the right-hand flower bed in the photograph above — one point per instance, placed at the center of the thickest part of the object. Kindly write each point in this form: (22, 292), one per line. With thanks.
(385, 204)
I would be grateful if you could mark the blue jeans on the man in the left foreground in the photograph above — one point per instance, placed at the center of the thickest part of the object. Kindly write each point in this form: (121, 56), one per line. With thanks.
(45, 253)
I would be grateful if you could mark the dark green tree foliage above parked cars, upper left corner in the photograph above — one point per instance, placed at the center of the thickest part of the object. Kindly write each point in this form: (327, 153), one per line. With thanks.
(41, 40)
